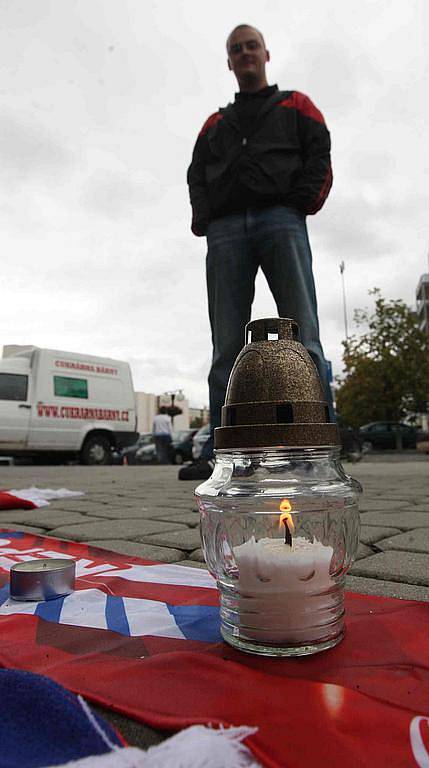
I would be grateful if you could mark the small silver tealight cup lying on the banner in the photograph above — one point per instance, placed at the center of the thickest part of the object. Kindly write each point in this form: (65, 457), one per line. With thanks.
(42, 579)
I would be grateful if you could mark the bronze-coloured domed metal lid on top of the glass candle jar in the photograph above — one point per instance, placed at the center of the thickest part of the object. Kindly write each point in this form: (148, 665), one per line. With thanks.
(274, 396)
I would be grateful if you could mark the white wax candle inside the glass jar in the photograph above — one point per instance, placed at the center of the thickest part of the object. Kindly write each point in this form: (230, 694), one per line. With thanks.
(285, 593)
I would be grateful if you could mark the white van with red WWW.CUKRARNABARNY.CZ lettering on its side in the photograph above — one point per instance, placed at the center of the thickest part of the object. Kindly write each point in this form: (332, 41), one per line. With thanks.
(63, 403)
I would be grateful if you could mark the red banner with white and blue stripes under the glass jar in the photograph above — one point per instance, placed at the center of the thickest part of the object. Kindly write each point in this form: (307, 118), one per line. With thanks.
(143, 639)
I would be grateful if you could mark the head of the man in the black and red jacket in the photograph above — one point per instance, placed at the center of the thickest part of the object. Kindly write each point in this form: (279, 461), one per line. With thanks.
(247, 54)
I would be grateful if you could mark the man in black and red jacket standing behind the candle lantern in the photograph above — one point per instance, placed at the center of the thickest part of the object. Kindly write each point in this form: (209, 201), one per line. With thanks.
(259, 167)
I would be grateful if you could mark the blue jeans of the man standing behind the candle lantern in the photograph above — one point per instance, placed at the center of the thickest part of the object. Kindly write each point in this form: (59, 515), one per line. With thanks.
(276, 240)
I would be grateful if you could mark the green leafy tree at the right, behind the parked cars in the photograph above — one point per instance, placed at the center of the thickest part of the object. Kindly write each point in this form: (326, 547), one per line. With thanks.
(386, 367)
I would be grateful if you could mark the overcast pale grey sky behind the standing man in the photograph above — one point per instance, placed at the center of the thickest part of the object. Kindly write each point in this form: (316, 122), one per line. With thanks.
(100, 105)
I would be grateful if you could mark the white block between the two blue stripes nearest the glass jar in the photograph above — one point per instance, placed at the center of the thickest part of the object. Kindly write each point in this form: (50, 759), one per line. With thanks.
(148, 617)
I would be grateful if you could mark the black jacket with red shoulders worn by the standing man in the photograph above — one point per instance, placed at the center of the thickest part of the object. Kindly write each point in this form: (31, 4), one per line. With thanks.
(285, 158)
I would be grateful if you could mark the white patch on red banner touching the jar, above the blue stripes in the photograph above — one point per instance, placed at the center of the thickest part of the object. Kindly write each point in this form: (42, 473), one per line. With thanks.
(178, 575)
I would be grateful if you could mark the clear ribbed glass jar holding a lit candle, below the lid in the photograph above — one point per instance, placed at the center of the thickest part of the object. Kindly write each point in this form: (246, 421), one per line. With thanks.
(280, 529)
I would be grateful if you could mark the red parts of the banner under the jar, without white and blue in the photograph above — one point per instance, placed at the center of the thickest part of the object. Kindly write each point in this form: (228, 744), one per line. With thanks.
(358, 704)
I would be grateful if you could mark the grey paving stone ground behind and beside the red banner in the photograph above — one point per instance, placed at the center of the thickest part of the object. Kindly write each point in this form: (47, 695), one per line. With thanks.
(147, 512)
